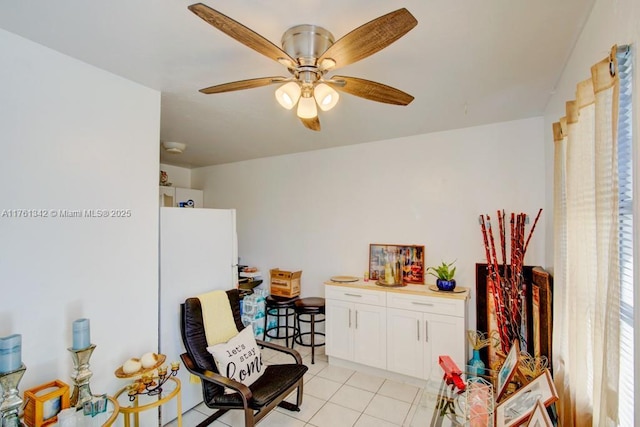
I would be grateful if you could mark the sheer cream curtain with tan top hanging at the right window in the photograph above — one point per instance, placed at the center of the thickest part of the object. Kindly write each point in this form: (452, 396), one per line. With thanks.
(587, 285)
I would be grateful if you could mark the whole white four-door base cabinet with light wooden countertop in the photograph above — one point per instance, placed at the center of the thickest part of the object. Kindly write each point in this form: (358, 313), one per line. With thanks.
(402, 331)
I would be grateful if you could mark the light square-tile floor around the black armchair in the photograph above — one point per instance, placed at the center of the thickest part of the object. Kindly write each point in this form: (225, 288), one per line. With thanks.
(333, 397)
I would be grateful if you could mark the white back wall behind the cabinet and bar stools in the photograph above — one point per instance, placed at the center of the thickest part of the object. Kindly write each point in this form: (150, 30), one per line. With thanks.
(319, 211)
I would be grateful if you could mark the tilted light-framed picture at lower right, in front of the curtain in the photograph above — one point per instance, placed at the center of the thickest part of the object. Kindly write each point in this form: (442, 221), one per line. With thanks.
(517, 408)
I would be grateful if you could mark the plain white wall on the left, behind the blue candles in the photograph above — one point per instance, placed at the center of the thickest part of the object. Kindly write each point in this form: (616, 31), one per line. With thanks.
(75, 137)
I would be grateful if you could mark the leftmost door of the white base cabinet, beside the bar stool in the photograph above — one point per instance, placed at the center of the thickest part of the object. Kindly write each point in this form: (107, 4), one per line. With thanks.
(339, 334)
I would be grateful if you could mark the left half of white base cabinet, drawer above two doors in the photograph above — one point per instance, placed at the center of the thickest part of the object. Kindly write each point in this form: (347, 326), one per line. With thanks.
(356, 325)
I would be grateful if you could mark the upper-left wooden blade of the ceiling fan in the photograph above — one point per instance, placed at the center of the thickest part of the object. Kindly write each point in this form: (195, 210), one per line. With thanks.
(241, 33)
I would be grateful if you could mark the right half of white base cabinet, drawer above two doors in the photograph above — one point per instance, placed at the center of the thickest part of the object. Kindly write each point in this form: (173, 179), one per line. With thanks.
(420, 329)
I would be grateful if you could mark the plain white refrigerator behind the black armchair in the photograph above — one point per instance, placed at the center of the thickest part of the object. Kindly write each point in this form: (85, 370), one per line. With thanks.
(198, 253)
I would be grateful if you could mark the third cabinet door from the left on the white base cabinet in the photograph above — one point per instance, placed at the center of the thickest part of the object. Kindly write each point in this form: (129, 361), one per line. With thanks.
(405, 342)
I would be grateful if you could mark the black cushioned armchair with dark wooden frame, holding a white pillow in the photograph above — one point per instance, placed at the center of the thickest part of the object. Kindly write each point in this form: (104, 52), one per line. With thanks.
(256, 400)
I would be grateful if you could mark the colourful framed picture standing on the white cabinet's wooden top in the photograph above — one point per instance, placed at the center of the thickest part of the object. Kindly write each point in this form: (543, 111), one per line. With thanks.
(408, 258)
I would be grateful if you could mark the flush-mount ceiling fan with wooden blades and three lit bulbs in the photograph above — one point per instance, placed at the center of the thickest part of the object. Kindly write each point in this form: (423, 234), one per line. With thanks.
(309, 52)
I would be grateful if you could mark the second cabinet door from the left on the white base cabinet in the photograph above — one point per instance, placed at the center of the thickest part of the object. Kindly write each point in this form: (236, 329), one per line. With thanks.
(369, 335)
